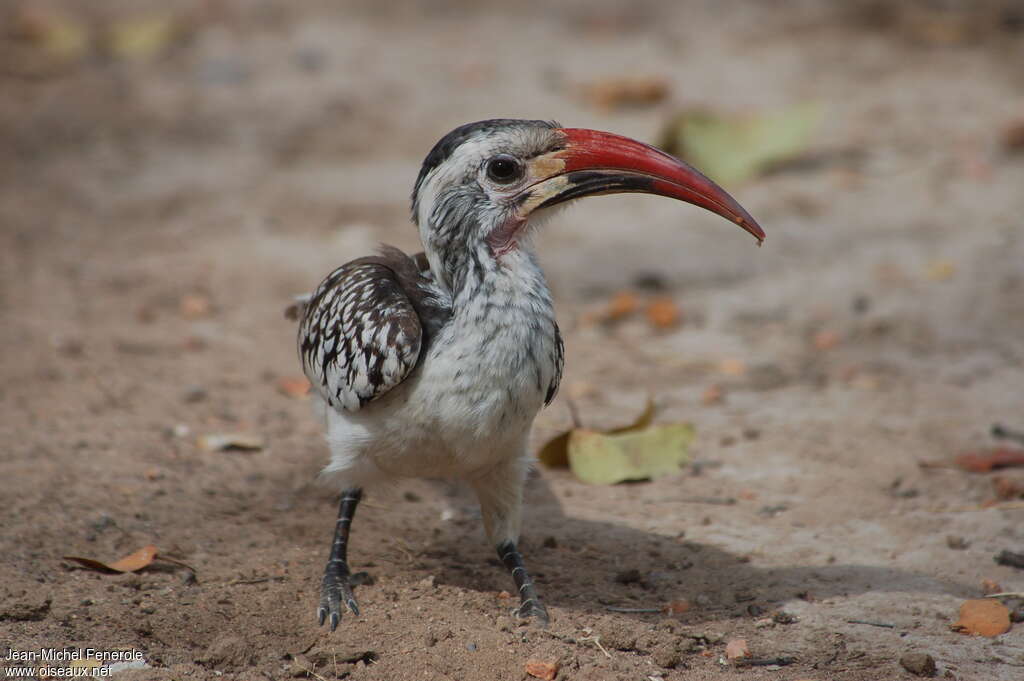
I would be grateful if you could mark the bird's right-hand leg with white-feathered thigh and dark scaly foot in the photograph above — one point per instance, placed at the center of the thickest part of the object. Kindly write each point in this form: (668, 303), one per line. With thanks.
(500, 493)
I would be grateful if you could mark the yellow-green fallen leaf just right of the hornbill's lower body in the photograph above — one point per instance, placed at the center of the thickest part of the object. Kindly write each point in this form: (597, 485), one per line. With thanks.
(605, 459)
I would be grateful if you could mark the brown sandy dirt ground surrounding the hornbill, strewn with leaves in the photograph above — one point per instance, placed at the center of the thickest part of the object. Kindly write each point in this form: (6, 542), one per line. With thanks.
(161, 204)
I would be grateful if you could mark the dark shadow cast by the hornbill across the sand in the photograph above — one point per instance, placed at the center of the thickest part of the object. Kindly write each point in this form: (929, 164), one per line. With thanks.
(592, 567)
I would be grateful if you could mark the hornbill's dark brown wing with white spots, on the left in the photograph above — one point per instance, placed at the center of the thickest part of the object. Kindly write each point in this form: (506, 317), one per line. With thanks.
(360, 334)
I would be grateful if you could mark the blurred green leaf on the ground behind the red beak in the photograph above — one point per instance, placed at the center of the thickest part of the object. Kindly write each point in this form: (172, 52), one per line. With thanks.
(735, 149)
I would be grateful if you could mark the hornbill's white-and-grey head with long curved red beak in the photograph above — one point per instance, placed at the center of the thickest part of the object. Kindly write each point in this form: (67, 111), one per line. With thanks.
(485, 183)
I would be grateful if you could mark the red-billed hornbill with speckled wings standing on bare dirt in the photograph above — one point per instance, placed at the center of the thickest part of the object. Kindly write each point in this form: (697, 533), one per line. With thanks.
(436, 365)
